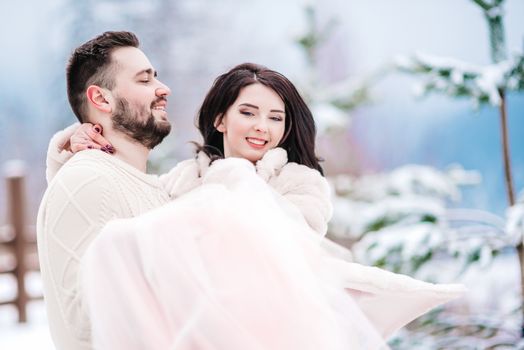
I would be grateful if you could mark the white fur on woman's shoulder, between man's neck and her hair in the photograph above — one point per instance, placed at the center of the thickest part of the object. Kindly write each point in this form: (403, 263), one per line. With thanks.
(185, 176)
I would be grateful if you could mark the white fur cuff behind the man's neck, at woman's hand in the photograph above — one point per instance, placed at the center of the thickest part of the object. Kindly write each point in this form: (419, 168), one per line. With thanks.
(57, 155)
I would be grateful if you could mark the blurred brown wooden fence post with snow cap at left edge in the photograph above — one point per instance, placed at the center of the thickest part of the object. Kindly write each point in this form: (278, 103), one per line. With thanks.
(18, 253)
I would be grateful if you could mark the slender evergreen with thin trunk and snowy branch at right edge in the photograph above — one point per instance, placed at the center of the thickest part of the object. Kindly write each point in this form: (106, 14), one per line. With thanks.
(487, 84)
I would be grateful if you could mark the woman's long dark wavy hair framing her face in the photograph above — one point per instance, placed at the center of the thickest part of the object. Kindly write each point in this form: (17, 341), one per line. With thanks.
(300, 131)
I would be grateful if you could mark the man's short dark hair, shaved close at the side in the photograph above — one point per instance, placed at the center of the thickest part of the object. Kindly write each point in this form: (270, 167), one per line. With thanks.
(90, 64)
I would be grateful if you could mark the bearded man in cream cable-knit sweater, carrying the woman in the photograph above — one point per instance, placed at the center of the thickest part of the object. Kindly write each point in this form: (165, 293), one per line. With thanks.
(110, 82)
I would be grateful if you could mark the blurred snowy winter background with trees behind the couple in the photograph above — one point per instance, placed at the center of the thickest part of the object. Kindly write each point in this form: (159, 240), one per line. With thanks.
(418, 184)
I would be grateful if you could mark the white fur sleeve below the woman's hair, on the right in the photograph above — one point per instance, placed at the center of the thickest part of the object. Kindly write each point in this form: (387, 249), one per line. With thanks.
(308, 190)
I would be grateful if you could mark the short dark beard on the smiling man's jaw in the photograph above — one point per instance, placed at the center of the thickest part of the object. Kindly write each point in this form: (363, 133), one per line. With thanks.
(149, 133)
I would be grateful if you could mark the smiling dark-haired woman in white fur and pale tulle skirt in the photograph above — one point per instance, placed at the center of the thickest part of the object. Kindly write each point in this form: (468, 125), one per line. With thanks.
(233, 263)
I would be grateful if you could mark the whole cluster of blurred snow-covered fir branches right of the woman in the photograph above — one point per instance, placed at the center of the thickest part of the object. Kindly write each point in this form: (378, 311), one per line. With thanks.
(401, 219)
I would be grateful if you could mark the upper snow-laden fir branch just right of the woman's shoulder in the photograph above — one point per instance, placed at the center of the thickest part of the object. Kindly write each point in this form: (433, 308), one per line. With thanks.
(409, 194)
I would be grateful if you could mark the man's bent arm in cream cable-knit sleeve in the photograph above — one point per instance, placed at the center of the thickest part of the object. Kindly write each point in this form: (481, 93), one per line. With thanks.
(80, 201)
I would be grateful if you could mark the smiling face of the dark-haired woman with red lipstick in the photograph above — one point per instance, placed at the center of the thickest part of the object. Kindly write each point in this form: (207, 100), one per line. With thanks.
(254, 123)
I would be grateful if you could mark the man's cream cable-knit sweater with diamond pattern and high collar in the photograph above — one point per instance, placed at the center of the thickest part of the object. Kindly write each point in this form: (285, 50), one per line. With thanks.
(88, 191)
